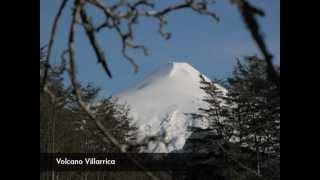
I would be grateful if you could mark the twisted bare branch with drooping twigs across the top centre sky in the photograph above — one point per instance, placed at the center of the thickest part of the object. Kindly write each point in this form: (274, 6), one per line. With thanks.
(115, 18)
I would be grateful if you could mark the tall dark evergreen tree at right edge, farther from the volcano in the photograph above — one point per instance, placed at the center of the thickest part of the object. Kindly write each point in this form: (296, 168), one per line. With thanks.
(256, 109)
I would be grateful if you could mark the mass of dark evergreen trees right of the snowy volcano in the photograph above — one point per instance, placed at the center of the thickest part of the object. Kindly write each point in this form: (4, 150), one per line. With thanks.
(244, 123)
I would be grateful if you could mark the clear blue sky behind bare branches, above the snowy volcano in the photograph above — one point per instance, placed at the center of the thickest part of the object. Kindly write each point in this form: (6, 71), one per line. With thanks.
(209, 46)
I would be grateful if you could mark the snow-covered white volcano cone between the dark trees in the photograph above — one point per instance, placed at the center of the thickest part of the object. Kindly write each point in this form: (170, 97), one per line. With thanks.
(161, 103)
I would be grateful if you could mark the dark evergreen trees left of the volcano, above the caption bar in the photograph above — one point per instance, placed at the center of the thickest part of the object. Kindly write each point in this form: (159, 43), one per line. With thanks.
(64, 126)
